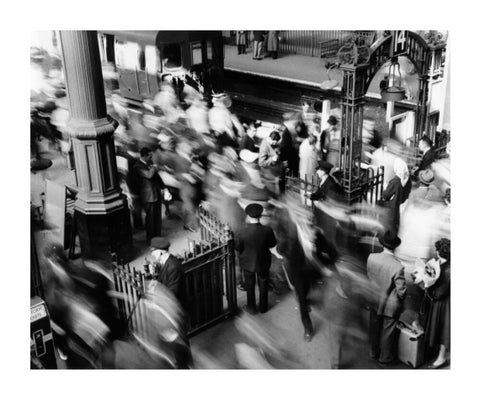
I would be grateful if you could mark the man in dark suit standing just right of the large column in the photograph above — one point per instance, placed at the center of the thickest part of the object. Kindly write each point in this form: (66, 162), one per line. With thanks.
(151, 185)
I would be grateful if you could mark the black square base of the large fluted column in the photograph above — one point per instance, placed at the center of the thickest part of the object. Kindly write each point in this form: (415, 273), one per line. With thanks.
(102, 234)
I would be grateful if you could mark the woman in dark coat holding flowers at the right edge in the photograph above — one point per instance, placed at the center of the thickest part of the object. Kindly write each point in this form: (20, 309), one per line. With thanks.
(438, 322)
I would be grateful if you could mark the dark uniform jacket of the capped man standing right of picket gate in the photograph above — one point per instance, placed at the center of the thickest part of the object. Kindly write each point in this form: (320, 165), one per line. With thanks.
(253, 242)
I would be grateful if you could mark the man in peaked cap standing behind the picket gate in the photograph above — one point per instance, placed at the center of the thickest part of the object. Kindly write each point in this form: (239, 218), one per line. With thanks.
(166, 268)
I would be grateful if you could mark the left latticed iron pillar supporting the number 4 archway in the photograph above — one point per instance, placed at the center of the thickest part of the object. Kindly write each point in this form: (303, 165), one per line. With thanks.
(353, 96)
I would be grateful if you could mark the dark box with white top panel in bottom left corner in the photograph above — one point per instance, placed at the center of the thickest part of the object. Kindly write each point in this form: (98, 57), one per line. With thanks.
(41, 339)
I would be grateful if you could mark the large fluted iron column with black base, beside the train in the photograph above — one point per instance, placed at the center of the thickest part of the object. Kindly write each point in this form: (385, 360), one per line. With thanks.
(100, 209)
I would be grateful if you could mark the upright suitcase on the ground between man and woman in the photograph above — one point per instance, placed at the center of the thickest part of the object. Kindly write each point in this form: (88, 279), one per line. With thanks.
(410, 346)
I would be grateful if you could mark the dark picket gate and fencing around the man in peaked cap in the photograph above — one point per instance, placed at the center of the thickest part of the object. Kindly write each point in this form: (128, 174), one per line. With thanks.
(209, 278)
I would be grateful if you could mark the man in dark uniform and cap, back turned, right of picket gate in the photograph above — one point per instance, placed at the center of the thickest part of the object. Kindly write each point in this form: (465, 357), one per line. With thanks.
(253, 242)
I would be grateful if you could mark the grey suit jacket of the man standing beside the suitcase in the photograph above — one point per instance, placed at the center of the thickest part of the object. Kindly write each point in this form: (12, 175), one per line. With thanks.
(388, 279)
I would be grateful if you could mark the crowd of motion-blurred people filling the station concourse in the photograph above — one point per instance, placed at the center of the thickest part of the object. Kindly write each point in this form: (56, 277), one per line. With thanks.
(182, 149)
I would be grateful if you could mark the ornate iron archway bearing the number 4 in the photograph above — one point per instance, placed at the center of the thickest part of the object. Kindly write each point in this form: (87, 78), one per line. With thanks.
(427, 60)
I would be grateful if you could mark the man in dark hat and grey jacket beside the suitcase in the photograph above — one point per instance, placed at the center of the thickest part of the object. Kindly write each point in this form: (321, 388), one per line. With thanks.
(387, 276)
